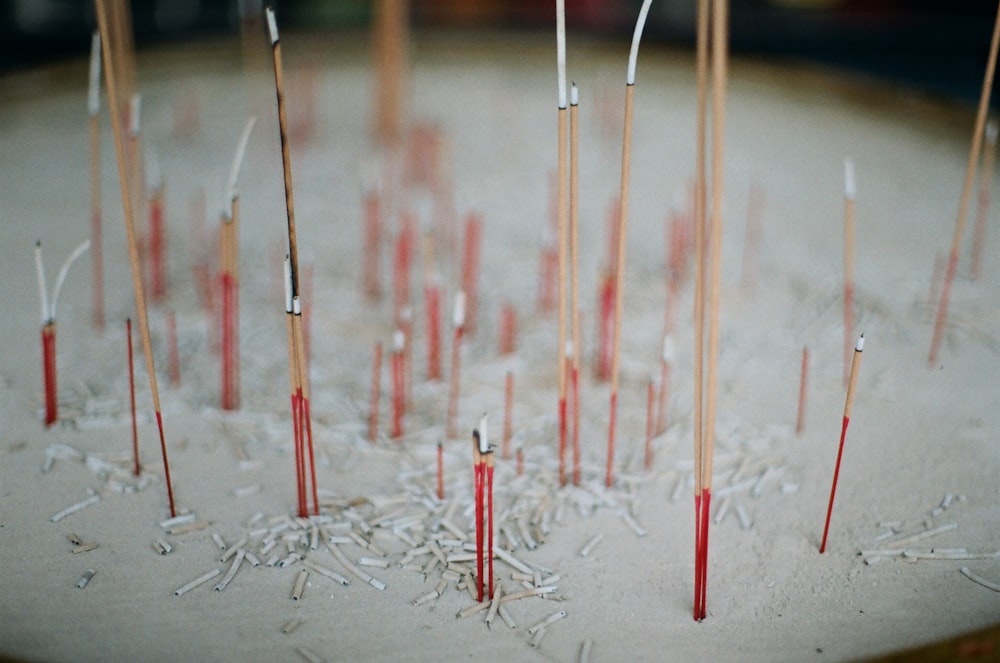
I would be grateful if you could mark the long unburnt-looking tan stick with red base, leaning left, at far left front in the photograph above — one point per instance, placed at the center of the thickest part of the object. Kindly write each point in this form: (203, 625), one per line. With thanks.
(137, 285)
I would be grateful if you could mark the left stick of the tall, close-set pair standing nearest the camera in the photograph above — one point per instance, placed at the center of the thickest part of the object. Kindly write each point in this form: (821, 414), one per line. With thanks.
(703, 16)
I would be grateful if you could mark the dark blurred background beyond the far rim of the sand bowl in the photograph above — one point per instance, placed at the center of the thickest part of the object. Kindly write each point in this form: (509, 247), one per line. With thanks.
(934, 46)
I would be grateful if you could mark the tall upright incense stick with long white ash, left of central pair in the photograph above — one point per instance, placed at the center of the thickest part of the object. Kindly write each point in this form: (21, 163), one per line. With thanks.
(562, 212)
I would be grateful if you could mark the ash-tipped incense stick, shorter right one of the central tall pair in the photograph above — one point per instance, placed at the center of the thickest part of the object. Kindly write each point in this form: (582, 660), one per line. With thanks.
(574, 263)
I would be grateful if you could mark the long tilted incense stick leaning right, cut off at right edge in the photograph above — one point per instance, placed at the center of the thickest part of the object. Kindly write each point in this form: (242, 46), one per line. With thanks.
(963, 204)
